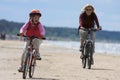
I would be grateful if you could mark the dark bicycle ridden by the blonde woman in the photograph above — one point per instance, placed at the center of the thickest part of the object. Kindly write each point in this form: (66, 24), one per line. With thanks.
(88, 49)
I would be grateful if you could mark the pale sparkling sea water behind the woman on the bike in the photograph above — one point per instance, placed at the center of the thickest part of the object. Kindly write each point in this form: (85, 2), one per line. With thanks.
(100, 47)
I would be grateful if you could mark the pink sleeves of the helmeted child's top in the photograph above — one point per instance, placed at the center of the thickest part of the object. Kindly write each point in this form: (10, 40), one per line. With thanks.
(40, 26)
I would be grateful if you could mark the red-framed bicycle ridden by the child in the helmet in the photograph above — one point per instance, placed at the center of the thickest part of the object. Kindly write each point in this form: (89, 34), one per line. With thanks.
(29, 62)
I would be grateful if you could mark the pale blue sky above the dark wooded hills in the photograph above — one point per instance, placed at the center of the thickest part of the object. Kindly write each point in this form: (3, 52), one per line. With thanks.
(62, 13)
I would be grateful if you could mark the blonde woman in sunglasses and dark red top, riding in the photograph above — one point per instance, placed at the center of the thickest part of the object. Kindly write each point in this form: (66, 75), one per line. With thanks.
(87, 20)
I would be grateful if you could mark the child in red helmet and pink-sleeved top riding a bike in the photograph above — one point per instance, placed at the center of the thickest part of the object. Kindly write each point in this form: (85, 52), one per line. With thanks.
(32, 28)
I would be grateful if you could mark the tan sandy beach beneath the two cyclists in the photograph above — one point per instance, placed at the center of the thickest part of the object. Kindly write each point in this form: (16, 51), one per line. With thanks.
(57, 63)
